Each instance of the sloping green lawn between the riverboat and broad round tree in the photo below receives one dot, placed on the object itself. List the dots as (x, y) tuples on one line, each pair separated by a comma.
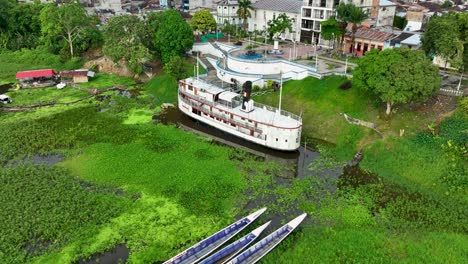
[(321, 103)]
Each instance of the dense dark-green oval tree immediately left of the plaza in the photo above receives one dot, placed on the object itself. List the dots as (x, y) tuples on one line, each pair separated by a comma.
[(174, 36)]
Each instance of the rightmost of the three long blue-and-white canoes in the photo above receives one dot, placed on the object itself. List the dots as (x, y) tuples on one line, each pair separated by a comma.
[(261, 248)]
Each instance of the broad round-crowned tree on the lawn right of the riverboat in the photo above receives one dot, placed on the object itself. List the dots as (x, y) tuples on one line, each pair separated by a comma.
[(397, 75)]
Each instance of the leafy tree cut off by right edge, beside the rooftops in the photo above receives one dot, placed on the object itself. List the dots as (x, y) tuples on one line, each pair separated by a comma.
[(447, 36)]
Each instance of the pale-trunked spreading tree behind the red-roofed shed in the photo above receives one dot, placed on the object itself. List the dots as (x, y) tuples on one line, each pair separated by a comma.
[(66, 22)]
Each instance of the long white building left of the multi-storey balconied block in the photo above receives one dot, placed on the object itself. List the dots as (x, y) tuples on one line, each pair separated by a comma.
[(266, 10)]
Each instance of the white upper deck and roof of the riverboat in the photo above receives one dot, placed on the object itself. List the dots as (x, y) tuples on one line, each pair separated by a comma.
[(262, 113)]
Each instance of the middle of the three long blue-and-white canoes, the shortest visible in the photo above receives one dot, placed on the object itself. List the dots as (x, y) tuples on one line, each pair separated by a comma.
[(230, 251)]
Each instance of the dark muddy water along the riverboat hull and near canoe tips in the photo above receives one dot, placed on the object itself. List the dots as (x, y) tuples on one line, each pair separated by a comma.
[(294, 164)]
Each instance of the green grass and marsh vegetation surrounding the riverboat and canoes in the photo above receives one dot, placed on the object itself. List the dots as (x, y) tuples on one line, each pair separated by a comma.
[(124, 180)]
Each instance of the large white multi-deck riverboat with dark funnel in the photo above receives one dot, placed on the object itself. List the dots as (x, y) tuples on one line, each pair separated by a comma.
[(244, 118)]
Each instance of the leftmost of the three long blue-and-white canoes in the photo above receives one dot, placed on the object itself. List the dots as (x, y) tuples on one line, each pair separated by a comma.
[(208, 245)]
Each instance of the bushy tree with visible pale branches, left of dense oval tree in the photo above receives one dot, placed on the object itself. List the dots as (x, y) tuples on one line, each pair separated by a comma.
[(123, 37)]
